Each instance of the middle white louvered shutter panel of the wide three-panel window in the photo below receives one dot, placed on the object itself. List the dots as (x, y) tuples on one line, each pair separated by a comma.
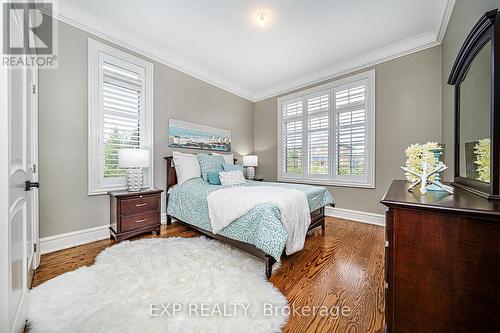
[(318, 107)]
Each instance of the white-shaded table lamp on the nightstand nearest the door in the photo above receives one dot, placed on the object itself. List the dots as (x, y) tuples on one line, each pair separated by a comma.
[(134, 160)]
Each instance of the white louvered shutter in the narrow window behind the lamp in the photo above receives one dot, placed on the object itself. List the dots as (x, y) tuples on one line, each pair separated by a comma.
[(122, 105)]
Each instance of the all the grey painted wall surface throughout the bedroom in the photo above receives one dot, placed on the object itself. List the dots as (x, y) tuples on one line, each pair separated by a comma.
[(410, 92)]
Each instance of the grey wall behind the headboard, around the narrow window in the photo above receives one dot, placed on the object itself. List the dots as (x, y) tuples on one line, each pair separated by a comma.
[(64, 203)]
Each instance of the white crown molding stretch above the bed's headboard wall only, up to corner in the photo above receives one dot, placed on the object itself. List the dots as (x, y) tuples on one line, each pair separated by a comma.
[(72, 15)]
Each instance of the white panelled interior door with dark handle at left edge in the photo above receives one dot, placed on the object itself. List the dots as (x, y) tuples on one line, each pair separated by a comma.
[(22, 213)]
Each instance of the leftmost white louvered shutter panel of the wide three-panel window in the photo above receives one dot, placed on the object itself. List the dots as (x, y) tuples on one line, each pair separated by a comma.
[(292, 138)]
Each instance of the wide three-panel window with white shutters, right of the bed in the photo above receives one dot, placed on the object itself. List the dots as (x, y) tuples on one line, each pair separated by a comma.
[(326, 134)]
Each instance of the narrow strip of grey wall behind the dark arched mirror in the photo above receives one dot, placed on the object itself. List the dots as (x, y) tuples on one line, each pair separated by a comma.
[(465, 15)]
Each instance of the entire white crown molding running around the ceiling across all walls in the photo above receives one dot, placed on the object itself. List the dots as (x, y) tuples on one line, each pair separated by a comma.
[(83, 20)]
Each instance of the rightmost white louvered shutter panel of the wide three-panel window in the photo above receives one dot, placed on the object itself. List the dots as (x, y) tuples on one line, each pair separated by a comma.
[(350, 135)]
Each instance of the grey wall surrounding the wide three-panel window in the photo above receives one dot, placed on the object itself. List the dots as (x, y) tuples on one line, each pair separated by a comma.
[(408, 110)]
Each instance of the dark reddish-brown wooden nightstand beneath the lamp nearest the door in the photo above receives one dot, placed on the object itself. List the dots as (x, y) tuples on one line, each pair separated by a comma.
[(133, 213)]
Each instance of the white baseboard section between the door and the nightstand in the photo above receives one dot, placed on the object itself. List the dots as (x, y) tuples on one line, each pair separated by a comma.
[(70, 239)]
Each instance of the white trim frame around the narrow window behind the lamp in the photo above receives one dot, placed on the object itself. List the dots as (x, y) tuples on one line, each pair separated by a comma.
[(95, 186)]
